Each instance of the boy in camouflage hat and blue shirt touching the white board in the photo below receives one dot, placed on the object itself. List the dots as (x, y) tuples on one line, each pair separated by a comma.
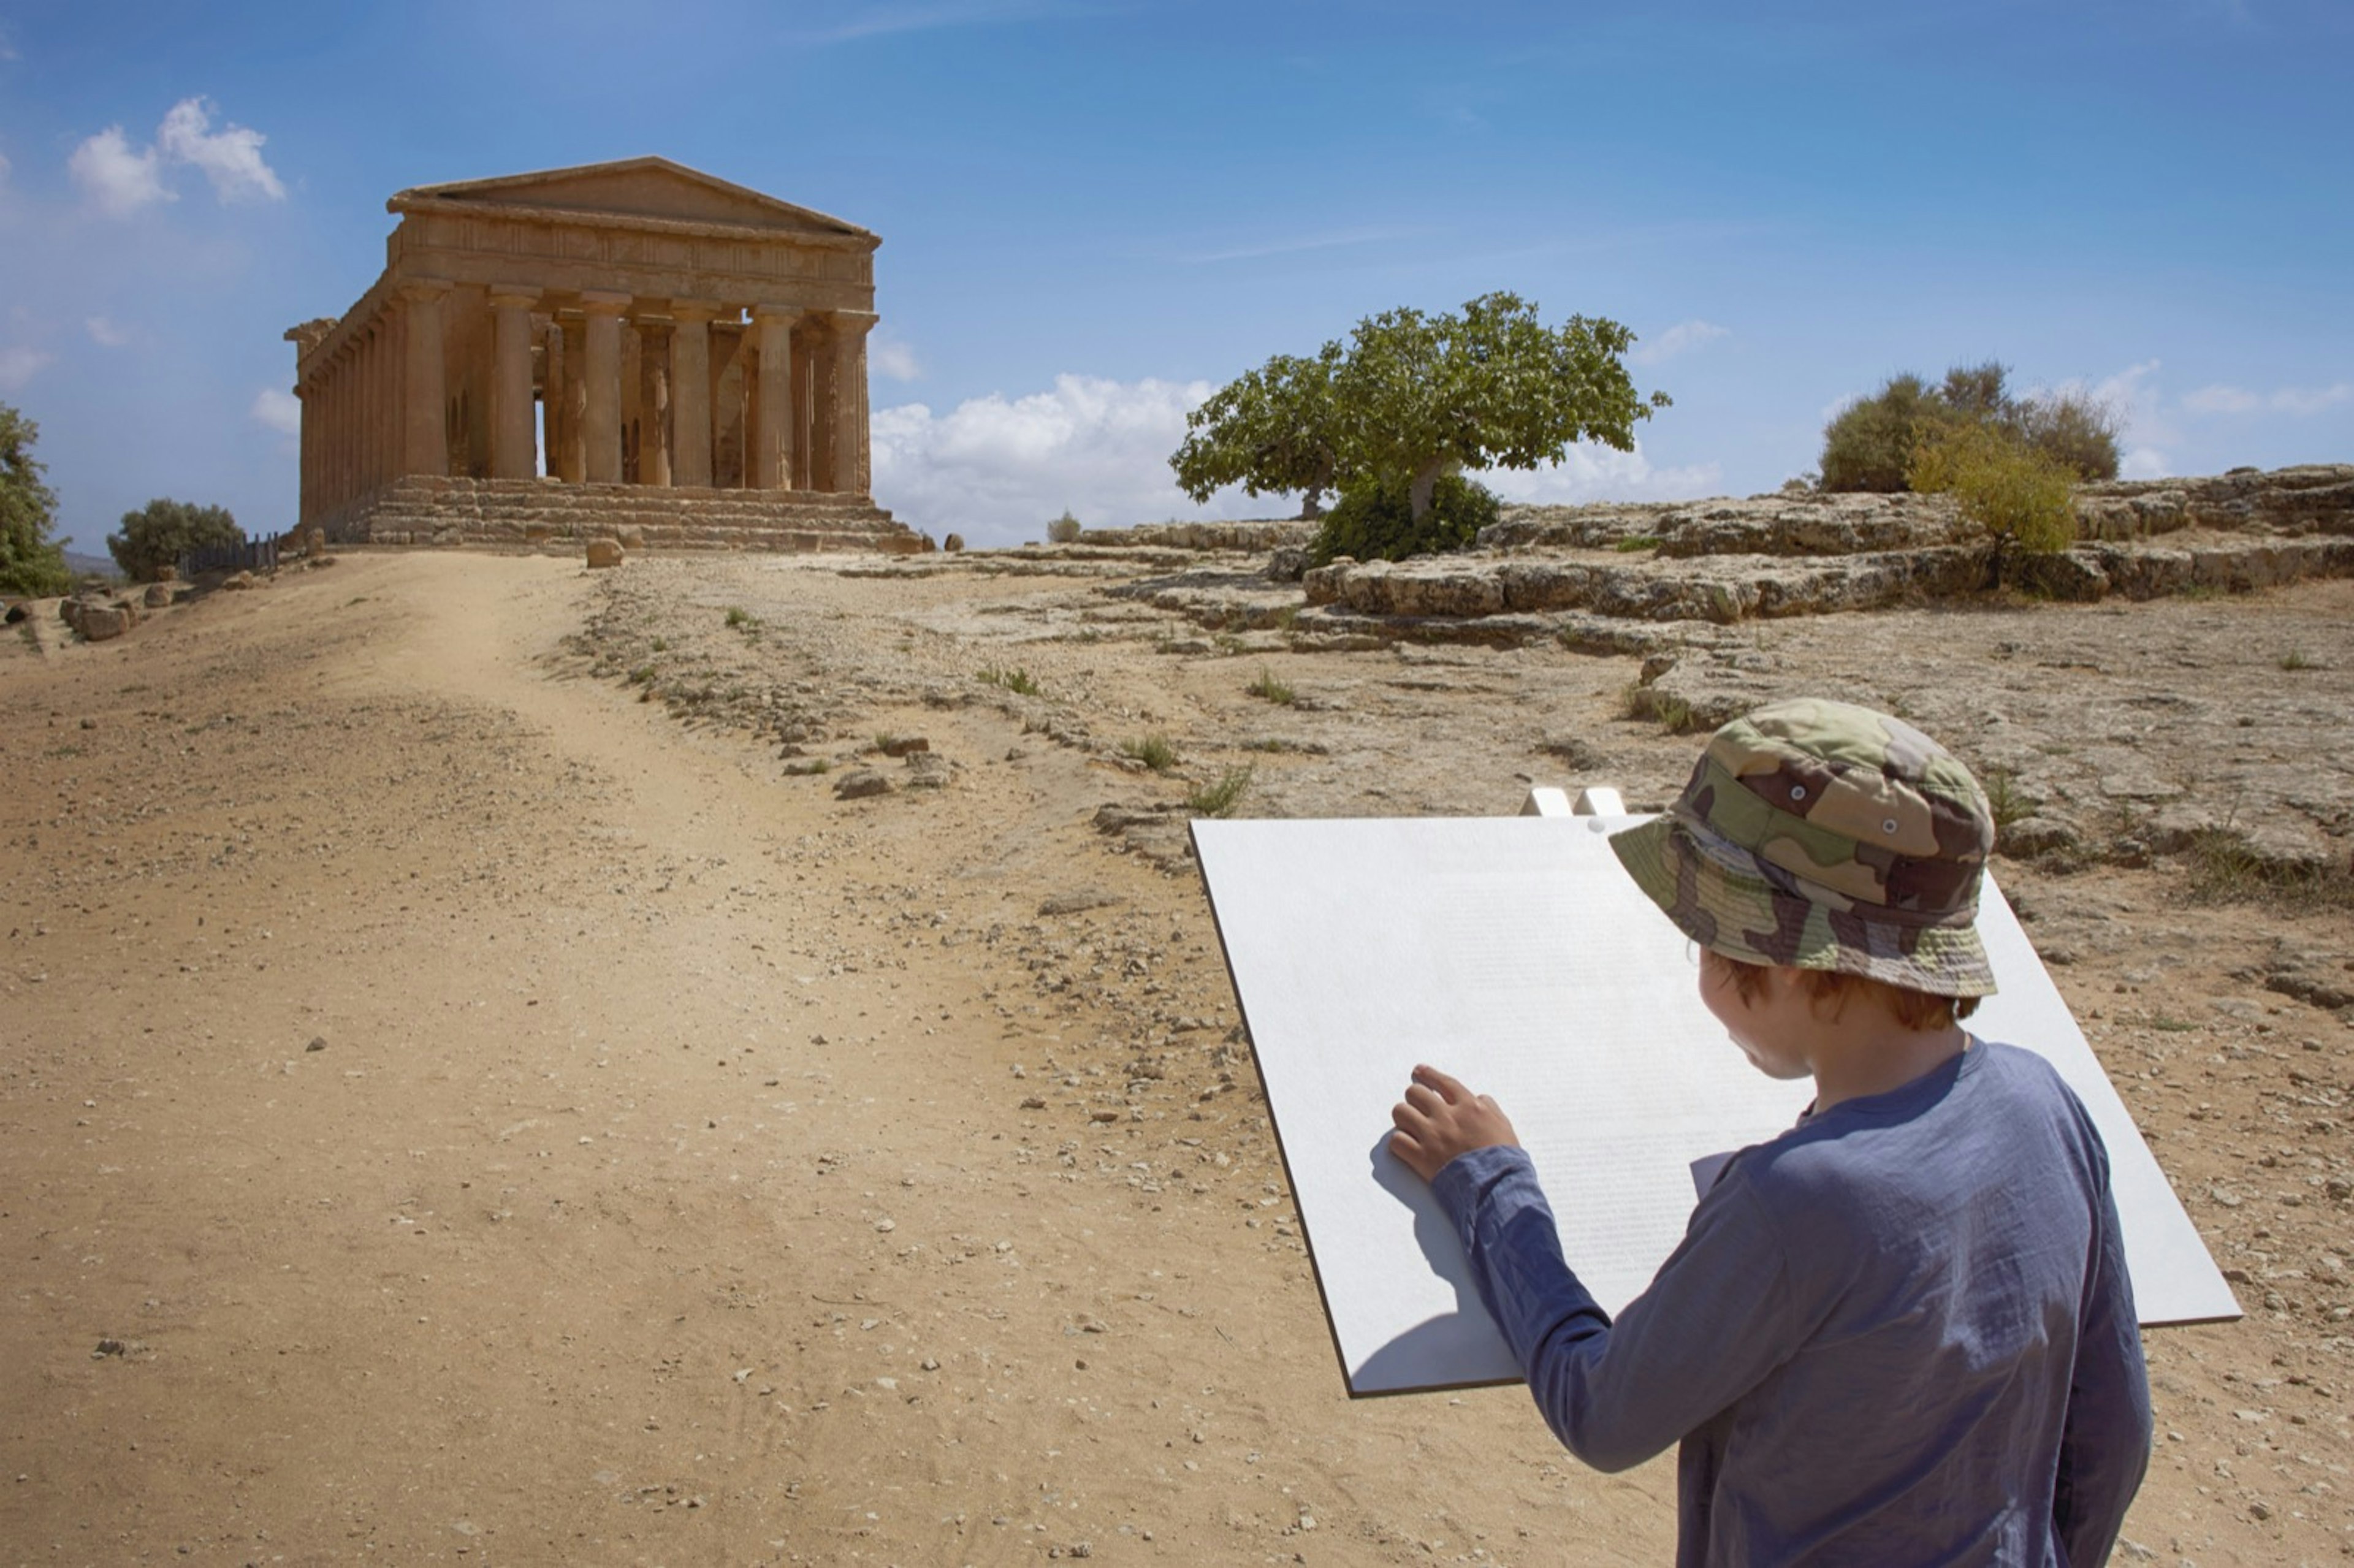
[(1903, 1331)]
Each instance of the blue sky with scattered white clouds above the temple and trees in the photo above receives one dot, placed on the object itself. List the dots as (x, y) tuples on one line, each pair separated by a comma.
[(1096, 213)]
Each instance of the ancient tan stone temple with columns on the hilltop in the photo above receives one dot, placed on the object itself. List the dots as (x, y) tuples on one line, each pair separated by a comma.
[(623, 350)]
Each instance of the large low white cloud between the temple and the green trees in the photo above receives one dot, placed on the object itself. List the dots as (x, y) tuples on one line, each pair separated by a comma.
[(997, 470)]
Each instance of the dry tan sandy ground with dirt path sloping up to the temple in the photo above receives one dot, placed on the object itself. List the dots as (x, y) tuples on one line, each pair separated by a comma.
[(488, 1119)]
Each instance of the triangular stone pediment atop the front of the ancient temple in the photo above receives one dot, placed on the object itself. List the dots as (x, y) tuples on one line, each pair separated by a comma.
[(630, 190)]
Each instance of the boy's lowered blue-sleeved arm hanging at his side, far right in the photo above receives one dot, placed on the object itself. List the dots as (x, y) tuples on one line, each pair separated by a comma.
[(2106, 1442)]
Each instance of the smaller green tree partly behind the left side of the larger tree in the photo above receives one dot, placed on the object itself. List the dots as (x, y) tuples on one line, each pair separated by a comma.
[(1268, 430)]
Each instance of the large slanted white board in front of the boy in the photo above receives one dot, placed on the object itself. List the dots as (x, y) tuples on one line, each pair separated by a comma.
[(1520, 957)]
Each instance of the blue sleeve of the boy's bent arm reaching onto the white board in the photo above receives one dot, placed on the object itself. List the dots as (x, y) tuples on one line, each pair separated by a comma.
[(1713, 1324)]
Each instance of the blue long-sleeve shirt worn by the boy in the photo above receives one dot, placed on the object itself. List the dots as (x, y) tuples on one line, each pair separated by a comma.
[(1899, 1334)]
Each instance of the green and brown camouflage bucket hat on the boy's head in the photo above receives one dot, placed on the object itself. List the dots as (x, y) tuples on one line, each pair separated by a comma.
[(1826, 837)]
